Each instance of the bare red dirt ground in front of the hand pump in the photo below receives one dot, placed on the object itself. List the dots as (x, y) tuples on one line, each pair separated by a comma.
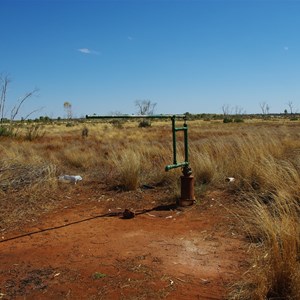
[(165, 253)]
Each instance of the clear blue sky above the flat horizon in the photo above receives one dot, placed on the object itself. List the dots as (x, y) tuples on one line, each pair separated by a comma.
[(186, 56)]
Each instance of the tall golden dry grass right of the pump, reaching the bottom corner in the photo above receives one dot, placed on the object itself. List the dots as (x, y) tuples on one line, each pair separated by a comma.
[(265, 163)]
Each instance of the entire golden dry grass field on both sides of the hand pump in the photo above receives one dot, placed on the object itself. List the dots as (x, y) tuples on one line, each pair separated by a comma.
[(262, 156)]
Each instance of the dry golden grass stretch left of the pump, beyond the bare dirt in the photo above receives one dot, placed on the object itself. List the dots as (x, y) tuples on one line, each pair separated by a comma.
[(109, 156)]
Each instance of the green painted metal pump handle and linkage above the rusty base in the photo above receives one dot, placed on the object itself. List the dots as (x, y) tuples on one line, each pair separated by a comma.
[(184, 128)]
